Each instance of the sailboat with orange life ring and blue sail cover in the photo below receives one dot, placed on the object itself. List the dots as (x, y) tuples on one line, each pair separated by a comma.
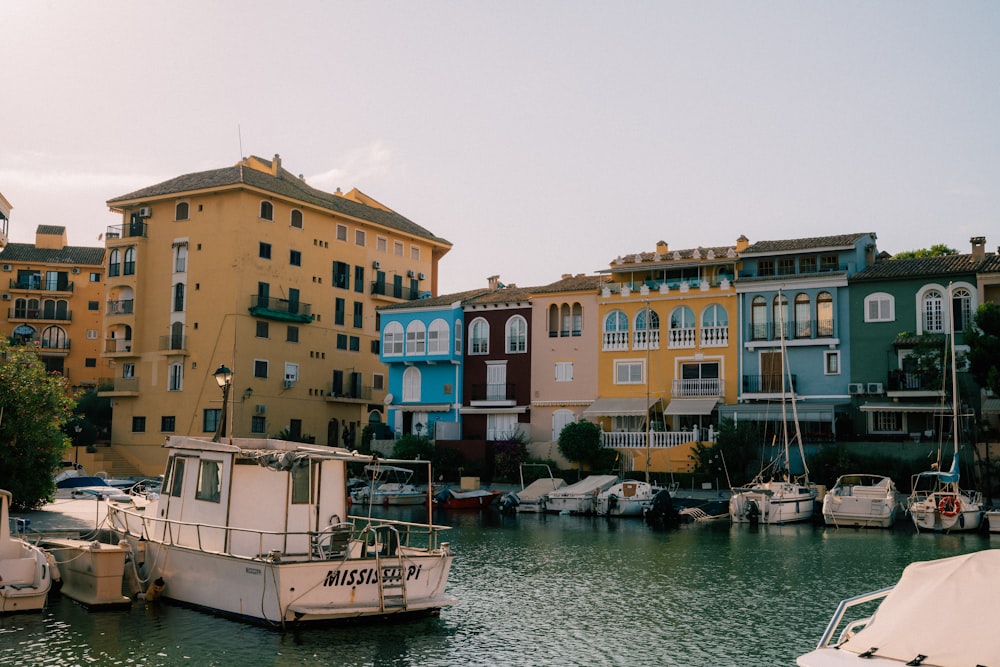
[(936, 501)]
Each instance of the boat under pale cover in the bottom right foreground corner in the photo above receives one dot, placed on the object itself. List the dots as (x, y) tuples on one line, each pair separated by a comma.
[(941, 612)]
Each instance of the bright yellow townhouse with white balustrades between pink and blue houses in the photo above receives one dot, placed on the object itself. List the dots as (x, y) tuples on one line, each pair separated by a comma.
[(668, 352)]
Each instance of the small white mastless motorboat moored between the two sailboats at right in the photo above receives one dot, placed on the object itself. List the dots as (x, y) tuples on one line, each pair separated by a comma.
[(865, 501)]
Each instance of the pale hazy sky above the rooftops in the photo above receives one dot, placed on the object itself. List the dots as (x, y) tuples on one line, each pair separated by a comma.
[(539, 137)]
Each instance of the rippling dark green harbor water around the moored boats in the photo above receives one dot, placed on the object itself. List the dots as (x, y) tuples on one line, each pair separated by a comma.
[(539, 590)]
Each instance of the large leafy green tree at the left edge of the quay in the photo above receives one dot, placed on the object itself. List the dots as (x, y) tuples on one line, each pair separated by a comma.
[(34, 405)]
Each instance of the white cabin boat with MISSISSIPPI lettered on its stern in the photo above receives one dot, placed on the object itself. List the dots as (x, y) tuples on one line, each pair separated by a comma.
[(258, 529)]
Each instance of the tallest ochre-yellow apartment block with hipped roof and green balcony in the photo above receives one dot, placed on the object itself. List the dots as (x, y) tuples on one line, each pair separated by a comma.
[(251, 269)]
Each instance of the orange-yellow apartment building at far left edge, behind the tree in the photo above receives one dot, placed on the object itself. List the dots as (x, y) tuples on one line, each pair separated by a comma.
[(53, 295)]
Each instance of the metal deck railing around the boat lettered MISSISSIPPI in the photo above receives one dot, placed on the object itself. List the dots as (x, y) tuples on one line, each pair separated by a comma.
[(340, 539)]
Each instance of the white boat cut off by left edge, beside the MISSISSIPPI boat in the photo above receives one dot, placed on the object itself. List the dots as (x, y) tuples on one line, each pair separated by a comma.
[(25, 571)]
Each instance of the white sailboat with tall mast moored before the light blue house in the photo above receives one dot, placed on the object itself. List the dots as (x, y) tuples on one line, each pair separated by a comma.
[(773, 497)]
